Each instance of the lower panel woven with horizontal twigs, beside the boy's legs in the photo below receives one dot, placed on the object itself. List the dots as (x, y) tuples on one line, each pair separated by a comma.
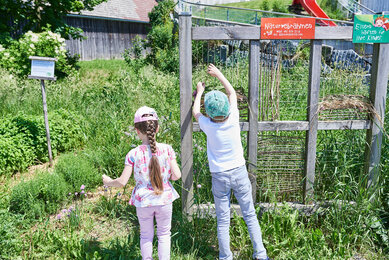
[(280, 165)]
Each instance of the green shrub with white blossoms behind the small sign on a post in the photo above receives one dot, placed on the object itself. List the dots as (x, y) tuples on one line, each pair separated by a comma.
[(15, 57)]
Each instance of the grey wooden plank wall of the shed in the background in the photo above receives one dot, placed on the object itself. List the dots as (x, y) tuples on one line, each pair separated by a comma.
[(106, 39)]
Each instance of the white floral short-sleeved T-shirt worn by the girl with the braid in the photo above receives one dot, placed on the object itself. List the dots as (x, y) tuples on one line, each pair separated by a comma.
[(143, 193)]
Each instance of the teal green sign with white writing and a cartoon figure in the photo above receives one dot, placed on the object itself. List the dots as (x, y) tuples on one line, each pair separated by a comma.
[(371, 28)]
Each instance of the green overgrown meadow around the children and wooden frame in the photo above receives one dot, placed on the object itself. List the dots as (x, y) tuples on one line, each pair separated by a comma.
[(45, 213)]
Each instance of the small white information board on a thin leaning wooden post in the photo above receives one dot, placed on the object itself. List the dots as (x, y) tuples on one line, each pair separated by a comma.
[(43, 68)]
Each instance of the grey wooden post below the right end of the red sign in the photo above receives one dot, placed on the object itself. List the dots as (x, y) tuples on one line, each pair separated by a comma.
[(312, 117)]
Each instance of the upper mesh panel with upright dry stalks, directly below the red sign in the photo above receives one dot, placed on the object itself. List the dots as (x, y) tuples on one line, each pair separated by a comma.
[(283, 80)]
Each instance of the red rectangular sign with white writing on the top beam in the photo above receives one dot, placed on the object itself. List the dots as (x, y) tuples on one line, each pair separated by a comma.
[(287, 28)]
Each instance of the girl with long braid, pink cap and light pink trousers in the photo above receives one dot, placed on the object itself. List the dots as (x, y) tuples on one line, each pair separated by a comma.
[(153, 164)]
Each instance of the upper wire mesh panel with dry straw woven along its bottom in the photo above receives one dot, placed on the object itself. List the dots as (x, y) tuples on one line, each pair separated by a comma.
[(345, 80)]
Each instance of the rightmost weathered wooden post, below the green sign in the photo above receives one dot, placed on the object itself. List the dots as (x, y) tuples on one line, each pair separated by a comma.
[(378, 91)]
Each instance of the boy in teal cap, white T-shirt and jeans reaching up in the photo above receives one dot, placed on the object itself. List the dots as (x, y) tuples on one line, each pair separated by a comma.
[(226, 163)]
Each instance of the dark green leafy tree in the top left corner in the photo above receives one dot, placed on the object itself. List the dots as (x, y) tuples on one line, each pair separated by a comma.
[(20, 16)]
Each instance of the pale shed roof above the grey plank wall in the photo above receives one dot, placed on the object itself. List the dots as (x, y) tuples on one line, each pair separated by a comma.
[(134, 10)]
